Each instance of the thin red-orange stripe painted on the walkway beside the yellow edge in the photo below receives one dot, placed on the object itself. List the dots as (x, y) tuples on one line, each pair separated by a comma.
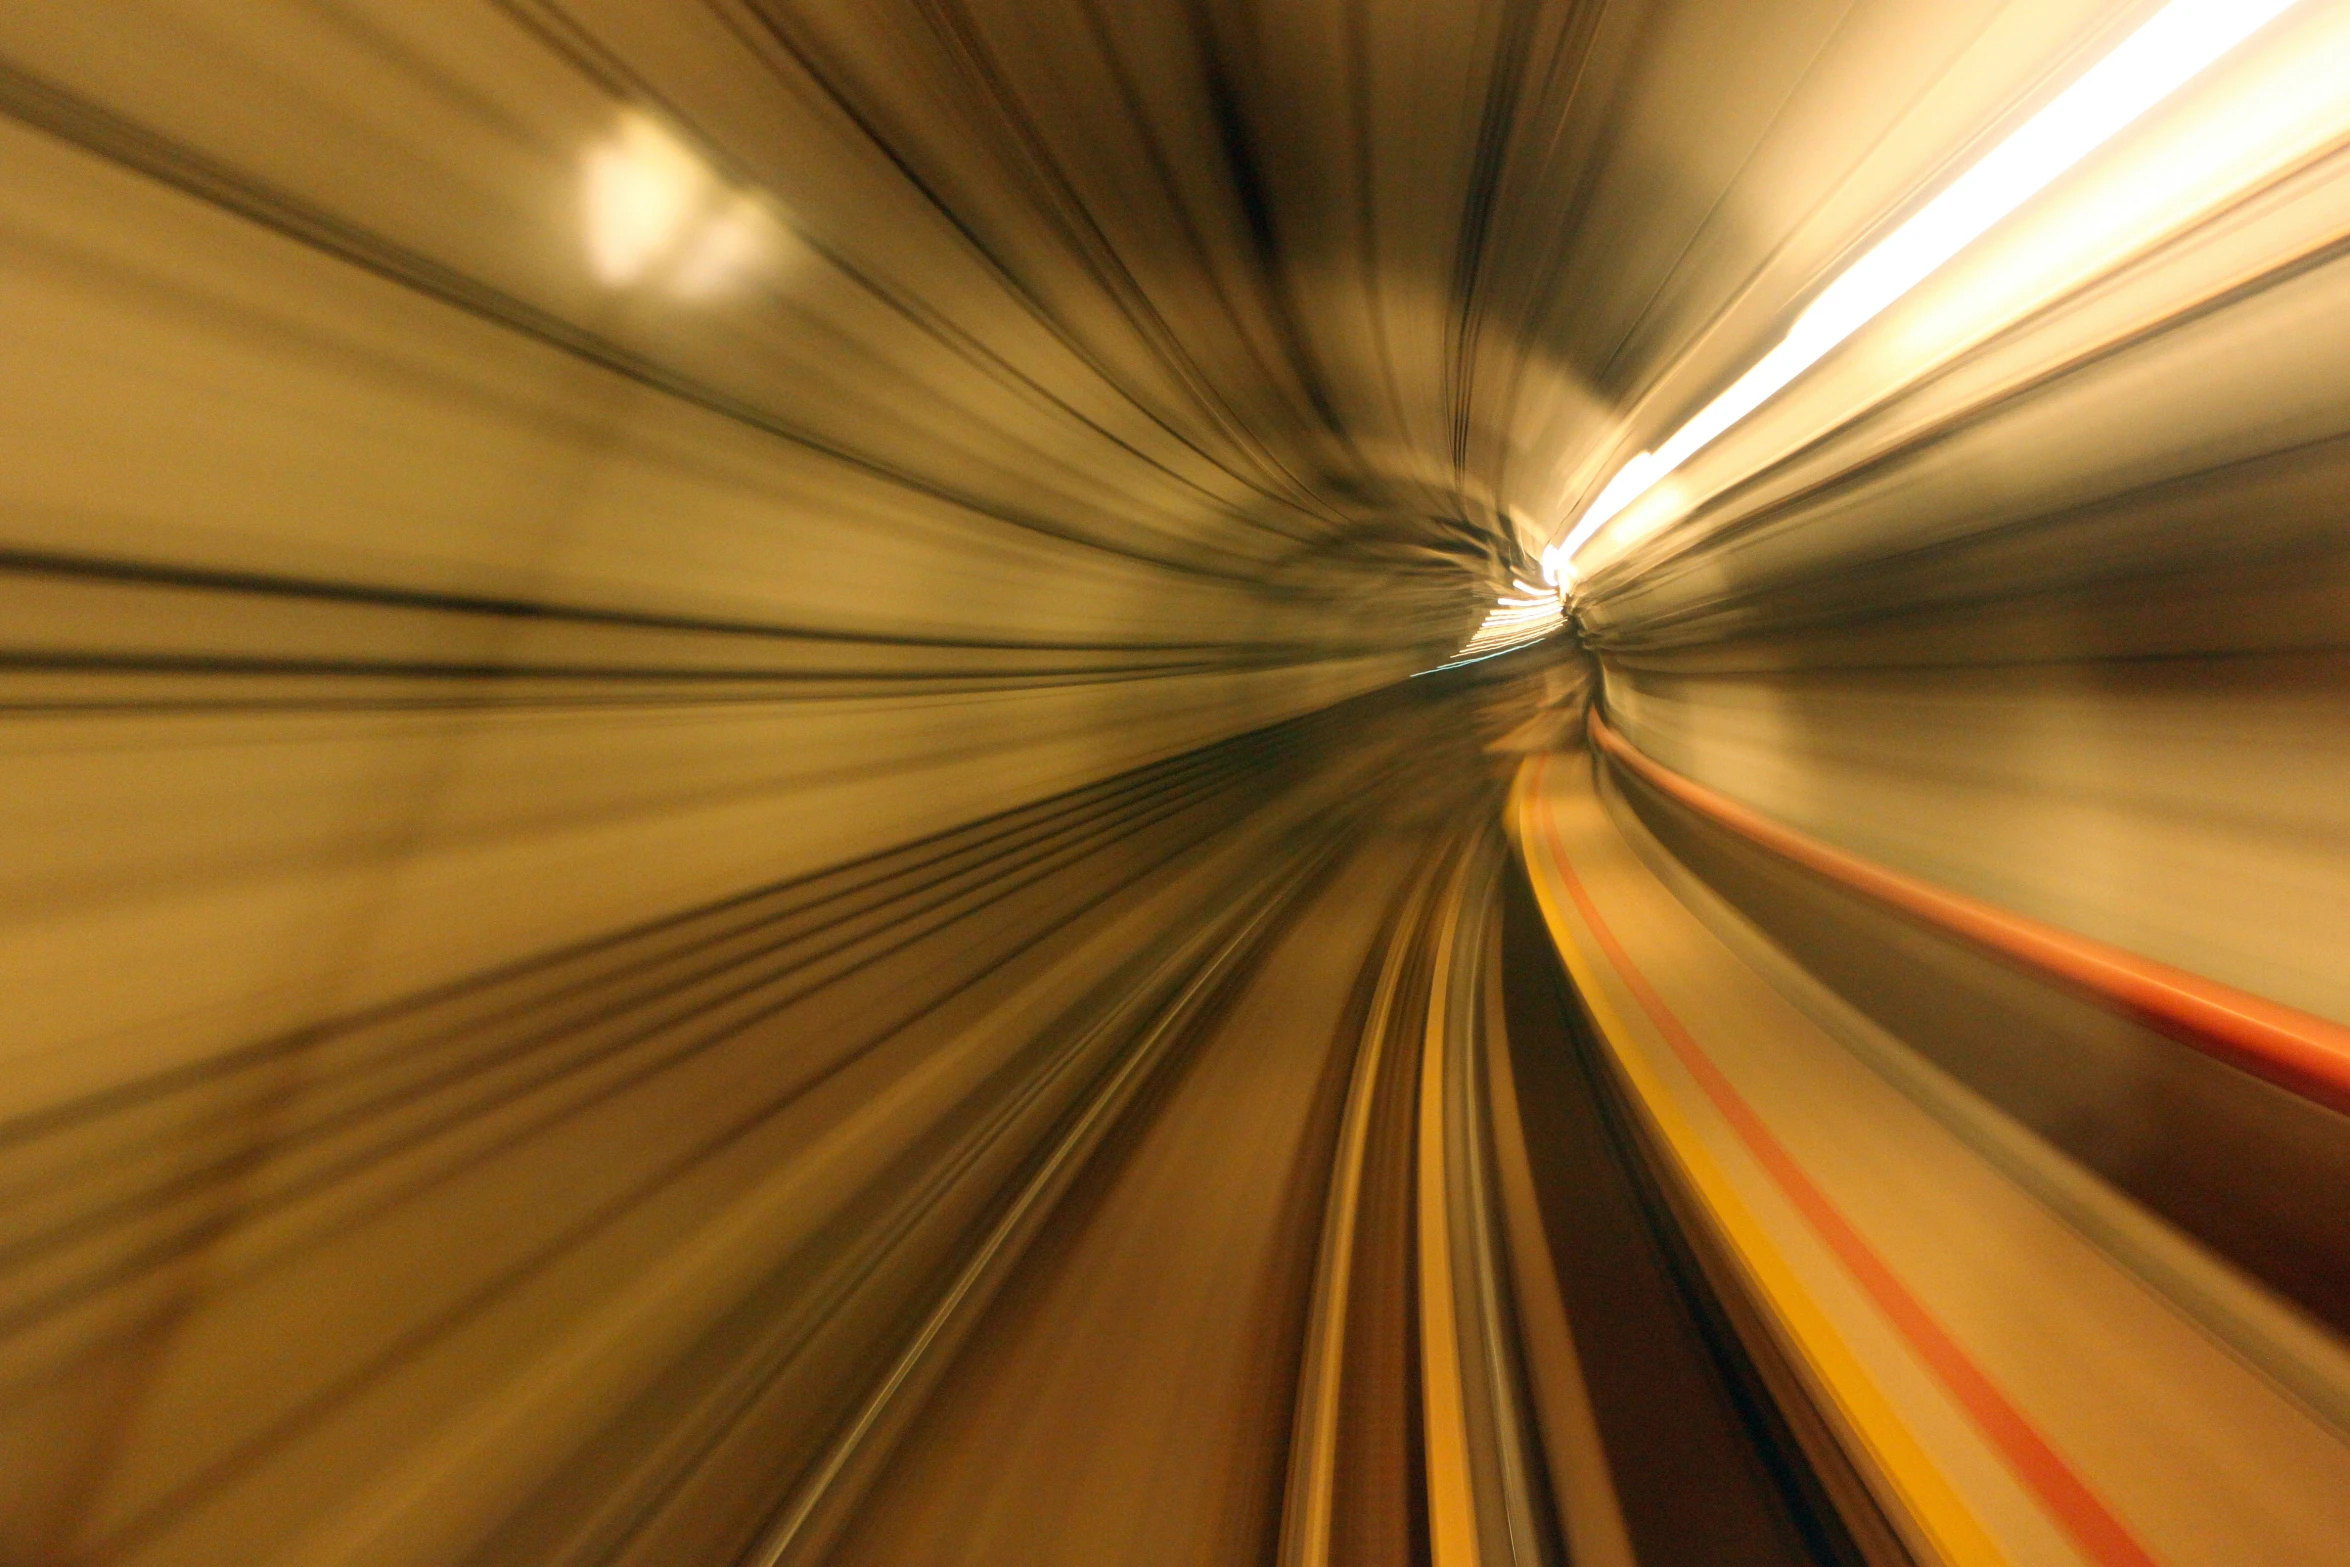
[(2020, 1444)]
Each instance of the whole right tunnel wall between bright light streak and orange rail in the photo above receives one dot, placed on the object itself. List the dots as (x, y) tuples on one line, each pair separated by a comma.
[(2057, 624)]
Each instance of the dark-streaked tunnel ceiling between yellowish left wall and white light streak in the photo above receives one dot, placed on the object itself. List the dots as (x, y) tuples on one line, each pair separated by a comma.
[(1388, 288)]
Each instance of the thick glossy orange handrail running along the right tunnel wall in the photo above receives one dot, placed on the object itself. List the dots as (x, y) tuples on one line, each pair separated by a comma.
[(2297, 1051)]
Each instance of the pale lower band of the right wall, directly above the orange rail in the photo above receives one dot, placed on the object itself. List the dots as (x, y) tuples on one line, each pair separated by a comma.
[(2182, 812)]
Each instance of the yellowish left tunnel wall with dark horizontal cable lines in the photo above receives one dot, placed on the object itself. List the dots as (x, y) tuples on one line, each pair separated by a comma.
[(391, 598)]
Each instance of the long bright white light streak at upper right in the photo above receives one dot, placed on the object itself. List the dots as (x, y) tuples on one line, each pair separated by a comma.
[(2149, 67)]
